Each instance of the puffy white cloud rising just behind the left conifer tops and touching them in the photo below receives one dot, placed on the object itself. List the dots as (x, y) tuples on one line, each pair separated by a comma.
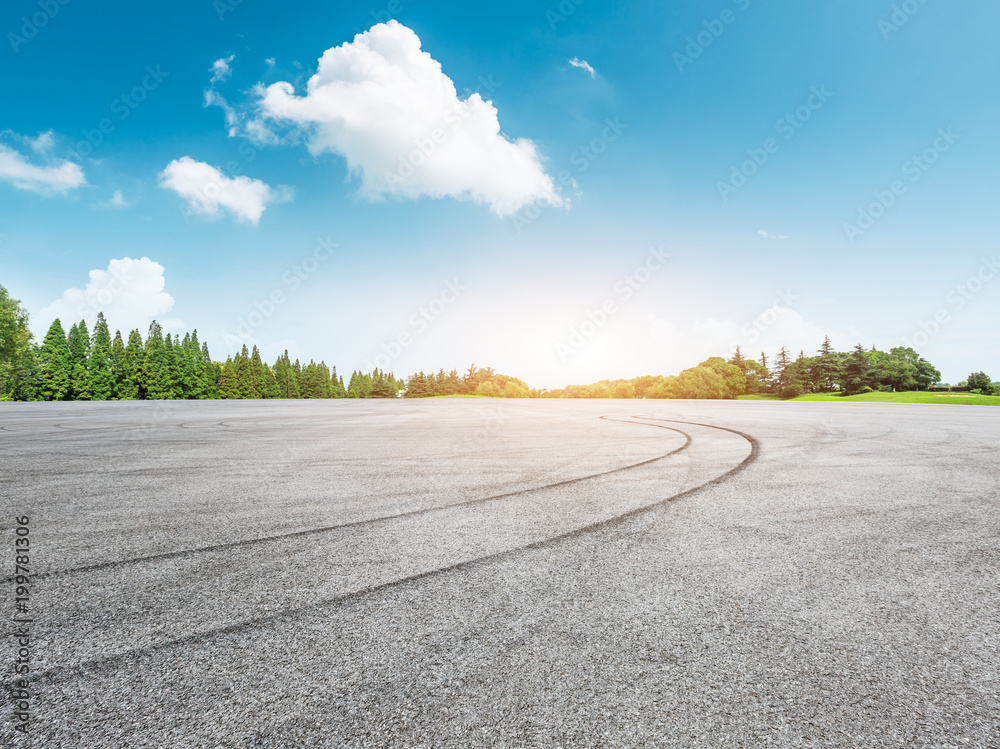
[(129, 292)]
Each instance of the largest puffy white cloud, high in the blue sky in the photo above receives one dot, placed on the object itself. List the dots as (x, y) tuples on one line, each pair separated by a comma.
[(387, 107)]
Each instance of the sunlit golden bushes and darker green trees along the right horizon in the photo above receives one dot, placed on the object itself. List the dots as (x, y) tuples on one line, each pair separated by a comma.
[(851, 373)]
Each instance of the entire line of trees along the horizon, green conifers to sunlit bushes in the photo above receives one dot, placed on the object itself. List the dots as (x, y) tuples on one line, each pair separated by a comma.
[(84, 365)]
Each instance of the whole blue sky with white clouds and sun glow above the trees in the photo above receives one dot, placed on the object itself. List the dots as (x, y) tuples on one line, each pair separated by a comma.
[(618, 185)]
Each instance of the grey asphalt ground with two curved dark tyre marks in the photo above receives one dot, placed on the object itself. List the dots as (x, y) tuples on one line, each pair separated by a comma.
[(474, 573)]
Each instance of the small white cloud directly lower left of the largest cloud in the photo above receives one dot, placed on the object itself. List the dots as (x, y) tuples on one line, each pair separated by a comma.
[(206, 190)]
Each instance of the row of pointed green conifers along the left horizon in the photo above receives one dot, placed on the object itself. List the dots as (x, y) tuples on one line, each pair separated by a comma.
[(80, 365)]
